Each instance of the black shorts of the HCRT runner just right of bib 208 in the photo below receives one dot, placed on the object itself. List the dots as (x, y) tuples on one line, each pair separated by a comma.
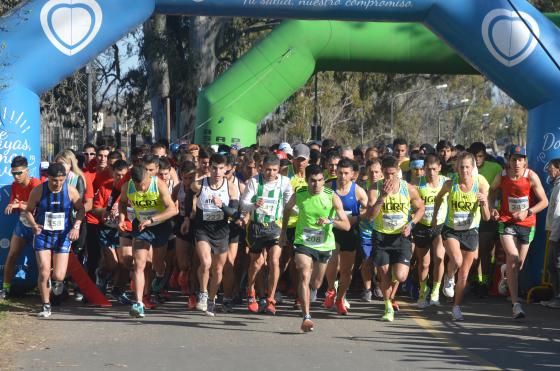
[(391, 249)]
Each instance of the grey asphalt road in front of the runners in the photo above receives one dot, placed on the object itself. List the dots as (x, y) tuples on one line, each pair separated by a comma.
[(170, 338)]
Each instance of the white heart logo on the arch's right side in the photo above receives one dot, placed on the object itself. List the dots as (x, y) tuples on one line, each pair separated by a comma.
[(509, 38)]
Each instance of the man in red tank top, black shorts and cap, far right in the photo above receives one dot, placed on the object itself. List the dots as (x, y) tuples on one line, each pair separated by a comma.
[(523, 196)]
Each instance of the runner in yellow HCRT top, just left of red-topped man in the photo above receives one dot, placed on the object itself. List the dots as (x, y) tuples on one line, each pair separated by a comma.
[(466, 202)]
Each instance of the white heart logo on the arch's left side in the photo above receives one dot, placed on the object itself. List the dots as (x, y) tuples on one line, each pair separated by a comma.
[(71, 25)]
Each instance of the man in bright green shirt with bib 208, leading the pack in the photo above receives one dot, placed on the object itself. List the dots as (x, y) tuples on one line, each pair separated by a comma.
[(319, 210)]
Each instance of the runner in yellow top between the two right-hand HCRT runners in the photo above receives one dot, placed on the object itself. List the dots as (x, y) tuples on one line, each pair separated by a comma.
[(427, 238)]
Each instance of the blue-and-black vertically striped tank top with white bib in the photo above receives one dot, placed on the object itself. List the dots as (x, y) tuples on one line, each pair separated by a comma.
[(54, 211)]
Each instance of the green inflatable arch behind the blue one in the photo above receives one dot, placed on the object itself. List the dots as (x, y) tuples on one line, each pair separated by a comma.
[(229, 109)]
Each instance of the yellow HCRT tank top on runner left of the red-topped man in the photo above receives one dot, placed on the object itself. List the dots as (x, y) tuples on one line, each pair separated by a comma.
[(463, 211)]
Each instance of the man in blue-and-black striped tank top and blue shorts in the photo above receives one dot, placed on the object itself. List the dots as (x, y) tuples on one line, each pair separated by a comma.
[(53, 202)]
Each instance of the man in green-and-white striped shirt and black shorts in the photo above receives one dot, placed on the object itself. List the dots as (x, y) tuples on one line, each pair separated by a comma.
[(264, 198)]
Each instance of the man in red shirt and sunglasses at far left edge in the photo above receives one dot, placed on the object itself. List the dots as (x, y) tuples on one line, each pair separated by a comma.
[(22, 235)]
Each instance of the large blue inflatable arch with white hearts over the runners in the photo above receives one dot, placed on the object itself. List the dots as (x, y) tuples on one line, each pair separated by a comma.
[(43, 41)]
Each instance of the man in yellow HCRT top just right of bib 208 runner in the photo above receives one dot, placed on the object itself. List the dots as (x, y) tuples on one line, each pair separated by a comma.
[(391, 202)]
